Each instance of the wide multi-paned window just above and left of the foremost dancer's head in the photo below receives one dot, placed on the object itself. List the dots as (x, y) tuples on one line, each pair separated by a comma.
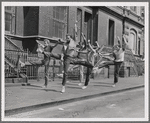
[(59, 22)]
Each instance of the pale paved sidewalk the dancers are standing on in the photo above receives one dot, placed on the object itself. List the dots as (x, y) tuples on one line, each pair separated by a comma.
[(19, 98)]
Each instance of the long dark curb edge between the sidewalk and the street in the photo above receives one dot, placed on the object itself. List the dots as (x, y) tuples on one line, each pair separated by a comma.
[(65, 101)]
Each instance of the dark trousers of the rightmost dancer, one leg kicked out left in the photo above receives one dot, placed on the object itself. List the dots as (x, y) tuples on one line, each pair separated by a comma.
[(116, 68)]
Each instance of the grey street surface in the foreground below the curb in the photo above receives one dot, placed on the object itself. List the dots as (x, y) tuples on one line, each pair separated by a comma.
[(128, 104)]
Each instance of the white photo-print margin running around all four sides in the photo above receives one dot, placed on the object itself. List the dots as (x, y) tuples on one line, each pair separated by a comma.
[(79, 4)]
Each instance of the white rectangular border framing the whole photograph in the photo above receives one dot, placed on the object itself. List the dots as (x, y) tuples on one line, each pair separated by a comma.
[(74, 4)]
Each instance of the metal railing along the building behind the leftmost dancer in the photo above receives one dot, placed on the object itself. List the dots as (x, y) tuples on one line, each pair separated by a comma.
[(31, 70)]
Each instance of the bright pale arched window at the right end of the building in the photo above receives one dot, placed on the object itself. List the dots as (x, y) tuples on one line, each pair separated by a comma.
[(133, 45)]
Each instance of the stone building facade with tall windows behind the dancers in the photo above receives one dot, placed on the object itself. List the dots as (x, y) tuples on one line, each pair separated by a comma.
[(25, 24)]
